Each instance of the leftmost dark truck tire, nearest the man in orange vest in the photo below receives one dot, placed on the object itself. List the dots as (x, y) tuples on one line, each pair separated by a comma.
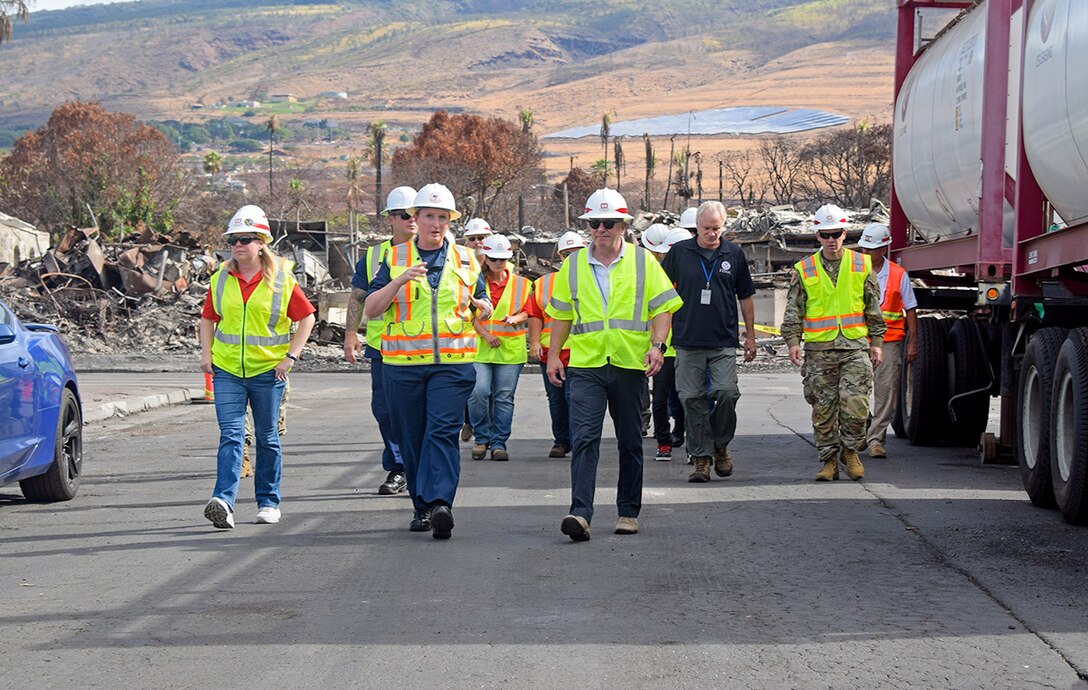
[(924, 395)]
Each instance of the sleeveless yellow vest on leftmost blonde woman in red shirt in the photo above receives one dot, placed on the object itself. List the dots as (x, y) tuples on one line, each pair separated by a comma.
[(252, 337)]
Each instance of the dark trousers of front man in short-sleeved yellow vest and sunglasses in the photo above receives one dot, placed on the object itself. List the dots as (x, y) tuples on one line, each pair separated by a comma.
[(592, 391)]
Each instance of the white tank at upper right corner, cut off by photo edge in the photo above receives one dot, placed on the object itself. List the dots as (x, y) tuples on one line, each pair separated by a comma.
[(1056, 104)]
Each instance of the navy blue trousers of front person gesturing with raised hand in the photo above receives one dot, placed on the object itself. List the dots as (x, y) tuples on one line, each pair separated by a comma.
[(428, 412)]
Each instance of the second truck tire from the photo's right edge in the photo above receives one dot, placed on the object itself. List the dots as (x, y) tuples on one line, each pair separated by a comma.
[(1034, 392)]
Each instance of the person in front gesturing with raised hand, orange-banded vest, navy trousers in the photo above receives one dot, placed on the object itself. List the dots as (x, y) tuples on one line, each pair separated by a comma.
[(429, 291)]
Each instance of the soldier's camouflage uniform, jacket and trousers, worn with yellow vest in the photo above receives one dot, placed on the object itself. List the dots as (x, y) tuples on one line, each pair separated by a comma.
[(838, 376)]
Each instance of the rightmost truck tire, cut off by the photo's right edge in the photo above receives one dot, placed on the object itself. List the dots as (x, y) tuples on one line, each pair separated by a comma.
[(1069, 428)]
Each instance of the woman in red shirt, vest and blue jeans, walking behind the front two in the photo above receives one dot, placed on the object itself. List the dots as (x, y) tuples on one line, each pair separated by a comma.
[(501, 352)]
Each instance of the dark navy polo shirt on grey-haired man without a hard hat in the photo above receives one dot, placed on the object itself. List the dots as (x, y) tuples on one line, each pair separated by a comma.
[(690, 268)]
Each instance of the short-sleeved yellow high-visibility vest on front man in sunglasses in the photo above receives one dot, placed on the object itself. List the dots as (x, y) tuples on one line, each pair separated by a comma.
[(639, 290)]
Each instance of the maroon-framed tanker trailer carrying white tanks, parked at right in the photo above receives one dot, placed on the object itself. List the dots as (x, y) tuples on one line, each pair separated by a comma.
[(991, 213)]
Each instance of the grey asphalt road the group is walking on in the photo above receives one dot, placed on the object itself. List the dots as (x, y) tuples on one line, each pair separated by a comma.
[(936, 572)]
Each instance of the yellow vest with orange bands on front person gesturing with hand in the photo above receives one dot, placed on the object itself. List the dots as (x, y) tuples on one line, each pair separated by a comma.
[(426, 326)]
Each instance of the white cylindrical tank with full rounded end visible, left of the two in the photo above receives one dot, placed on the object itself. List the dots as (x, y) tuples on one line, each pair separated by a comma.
[(938, 132)]
